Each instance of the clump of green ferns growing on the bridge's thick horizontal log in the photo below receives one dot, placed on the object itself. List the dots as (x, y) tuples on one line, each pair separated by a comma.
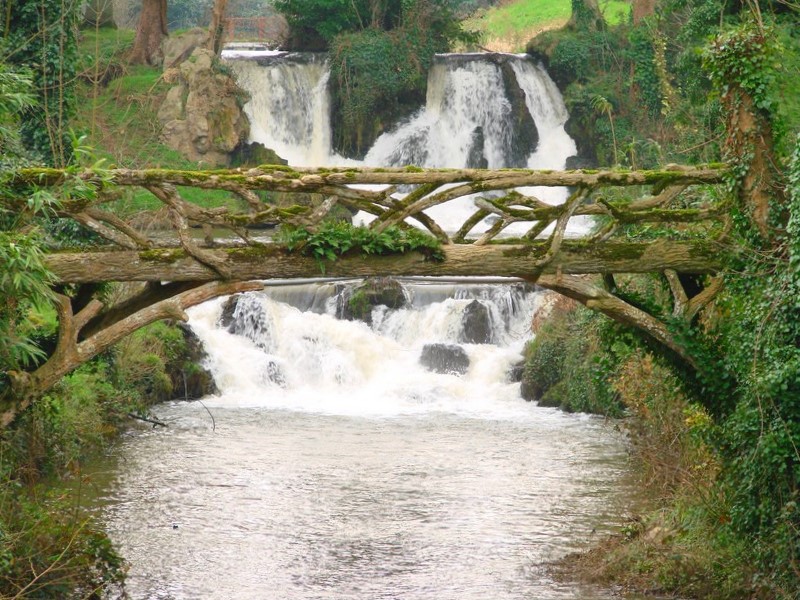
[(334, 239)]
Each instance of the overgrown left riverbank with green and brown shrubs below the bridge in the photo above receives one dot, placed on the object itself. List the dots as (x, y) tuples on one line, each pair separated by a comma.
[(51, 546)]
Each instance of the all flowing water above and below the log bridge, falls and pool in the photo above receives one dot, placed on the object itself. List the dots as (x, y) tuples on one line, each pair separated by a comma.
[(392, 460)]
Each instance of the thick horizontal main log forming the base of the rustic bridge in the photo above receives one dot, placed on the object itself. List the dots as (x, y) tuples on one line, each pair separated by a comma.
[(273, 261)]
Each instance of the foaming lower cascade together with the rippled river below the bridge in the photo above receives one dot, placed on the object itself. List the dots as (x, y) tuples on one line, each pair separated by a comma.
[(356, 473)]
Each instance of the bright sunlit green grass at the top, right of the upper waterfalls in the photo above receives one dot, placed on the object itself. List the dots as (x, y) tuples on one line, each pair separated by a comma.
[(508, 26)]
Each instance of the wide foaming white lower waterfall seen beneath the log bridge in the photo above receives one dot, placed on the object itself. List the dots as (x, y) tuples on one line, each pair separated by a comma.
[(269, 353)]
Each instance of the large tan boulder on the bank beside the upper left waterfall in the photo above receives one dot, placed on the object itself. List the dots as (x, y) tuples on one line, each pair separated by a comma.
[(201, 115)]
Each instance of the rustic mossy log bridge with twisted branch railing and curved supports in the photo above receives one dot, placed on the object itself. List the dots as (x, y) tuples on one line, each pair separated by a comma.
[(671, 221)]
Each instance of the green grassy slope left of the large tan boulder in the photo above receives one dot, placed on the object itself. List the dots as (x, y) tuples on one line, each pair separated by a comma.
[(117, 111)]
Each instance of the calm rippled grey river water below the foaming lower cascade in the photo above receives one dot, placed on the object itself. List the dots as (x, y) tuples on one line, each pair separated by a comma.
[(276, 504)]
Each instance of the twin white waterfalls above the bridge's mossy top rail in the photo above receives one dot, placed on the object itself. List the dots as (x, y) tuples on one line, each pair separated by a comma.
[(482, 110)]
